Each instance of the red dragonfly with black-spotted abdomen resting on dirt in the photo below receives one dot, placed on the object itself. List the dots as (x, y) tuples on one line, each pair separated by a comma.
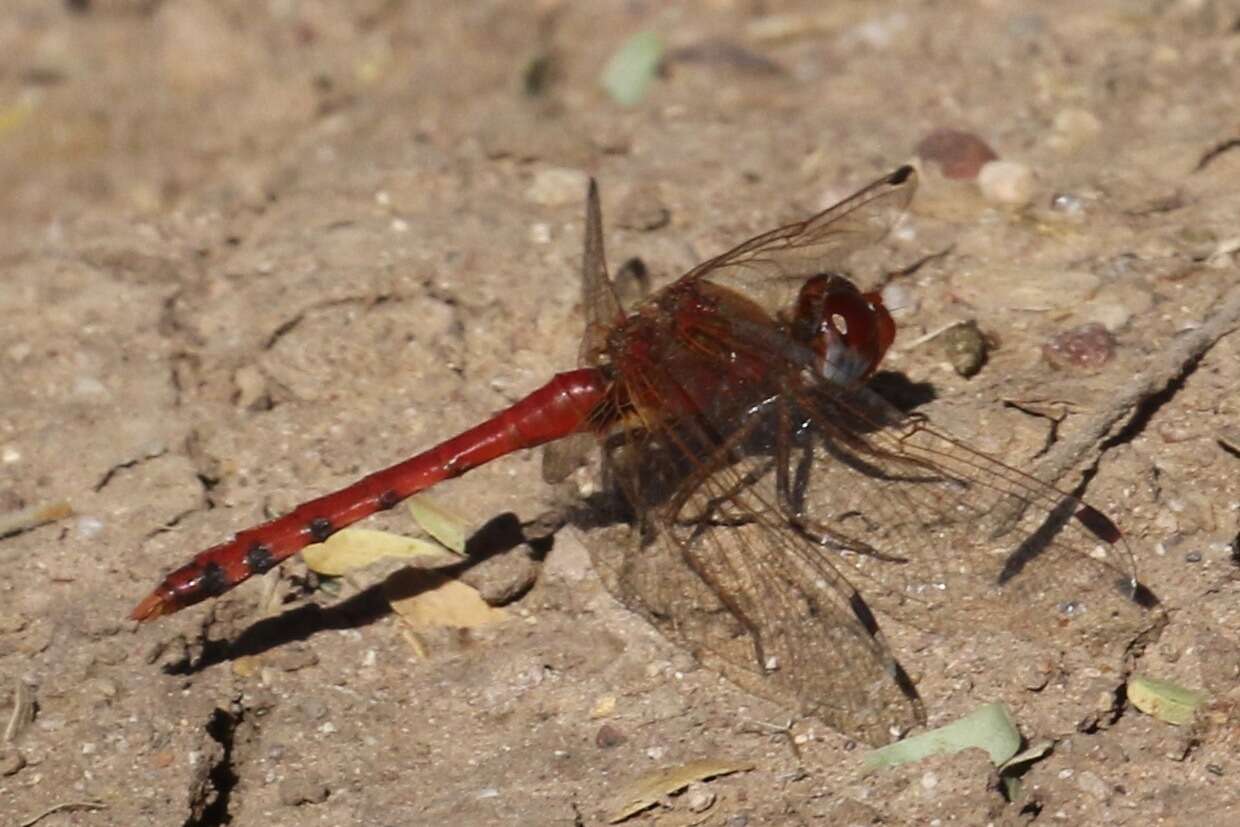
[(759, 487)]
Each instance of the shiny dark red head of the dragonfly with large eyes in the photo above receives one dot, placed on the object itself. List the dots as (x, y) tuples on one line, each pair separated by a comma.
[(848, 330)]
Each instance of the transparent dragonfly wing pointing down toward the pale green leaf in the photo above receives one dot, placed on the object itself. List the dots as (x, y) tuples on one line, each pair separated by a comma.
[(719, 570)]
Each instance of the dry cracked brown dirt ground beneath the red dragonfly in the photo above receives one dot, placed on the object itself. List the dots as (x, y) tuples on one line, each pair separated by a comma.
[(254, 251)]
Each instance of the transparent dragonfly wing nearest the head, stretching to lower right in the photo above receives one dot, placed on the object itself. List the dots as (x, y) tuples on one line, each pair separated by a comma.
[(939, 535)]
